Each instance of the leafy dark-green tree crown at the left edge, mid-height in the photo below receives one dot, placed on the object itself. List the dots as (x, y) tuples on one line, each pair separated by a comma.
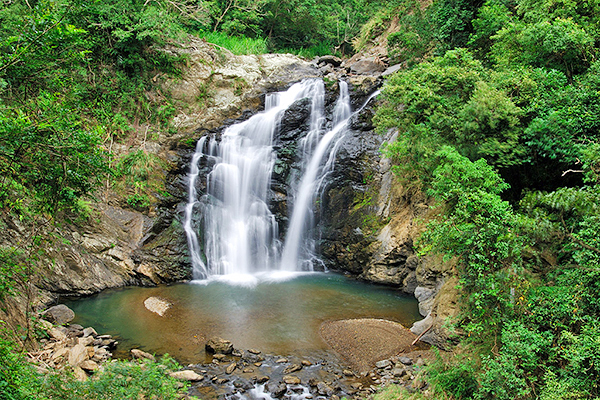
[(46, 152)]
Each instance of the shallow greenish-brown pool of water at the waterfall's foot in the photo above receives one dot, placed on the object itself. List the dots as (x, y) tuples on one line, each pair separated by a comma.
[(274, 313)]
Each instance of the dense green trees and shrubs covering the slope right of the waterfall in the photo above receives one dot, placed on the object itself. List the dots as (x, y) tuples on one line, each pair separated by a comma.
[(523, 99)]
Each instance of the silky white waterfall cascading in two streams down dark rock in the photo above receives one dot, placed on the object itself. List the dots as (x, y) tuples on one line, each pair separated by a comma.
[(239, 233)]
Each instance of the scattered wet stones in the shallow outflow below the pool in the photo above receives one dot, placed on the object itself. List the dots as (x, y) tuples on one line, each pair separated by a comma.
[(255, 375)]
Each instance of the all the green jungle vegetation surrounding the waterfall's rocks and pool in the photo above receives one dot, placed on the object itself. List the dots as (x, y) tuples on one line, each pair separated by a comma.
[(497, 109)]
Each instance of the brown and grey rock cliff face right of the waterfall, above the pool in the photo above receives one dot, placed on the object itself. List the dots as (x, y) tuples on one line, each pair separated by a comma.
[(370, 223)]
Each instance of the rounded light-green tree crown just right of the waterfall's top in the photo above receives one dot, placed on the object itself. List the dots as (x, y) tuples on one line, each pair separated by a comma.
[(448, 101)]
